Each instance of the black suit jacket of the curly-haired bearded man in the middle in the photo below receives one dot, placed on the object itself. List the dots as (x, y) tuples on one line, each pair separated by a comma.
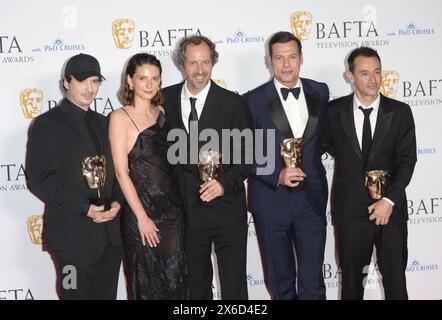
[(223, 109)]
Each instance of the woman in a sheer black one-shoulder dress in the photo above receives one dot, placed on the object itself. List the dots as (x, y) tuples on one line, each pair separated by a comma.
[(152, 217)]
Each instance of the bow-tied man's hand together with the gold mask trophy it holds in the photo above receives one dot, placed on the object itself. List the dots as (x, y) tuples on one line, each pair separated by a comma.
[(291, 152)]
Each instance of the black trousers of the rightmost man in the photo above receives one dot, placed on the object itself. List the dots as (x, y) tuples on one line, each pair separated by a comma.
[(355, 248)]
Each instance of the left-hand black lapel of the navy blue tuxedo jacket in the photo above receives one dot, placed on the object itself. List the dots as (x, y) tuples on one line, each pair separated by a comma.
[(276, 111)]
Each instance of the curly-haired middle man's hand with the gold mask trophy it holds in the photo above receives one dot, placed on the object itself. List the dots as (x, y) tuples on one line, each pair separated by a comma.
[(209, 165)]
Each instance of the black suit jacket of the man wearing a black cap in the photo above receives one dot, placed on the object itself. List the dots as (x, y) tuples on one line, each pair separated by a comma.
[(56, 147)]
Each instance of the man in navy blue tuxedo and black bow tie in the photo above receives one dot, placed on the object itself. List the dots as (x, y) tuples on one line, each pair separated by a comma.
[(289, 204)]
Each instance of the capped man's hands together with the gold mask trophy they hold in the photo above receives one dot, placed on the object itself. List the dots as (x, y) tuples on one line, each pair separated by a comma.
[(93, 169)]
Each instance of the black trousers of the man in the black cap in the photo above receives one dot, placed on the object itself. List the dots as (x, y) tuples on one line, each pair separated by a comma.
[(88, 275)]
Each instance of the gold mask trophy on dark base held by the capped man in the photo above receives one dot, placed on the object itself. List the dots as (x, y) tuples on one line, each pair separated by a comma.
[(93, 170)]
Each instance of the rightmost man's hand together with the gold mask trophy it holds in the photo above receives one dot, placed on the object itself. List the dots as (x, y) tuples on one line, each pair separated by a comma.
[(377, 183)]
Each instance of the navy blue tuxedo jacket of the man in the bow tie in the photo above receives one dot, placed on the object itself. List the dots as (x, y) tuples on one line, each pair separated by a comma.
[(265, 197)]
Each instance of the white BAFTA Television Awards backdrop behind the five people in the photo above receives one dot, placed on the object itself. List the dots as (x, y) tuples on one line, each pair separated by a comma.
[(37, 37)]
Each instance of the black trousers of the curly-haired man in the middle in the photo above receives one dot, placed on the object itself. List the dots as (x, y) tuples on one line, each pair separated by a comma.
[(231, 254)]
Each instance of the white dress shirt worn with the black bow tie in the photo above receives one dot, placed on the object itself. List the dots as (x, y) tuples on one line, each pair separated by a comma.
[(295, 109)]
